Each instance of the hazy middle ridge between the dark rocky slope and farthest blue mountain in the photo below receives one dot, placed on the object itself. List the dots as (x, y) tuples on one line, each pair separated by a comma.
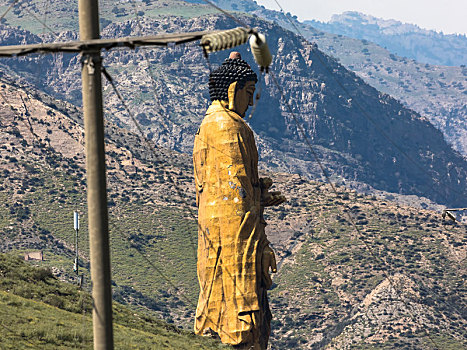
[(436, 92)]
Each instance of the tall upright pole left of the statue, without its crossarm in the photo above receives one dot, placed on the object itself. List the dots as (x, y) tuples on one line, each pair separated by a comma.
[(96, 179)]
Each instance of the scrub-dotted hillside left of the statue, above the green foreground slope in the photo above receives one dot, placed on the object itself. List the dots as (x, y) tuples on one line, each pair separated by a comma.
[(41, 161)]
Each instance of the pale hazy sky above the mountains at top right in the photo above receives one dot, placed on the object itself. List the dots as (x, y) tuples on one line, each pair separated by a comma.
[(449, 16)]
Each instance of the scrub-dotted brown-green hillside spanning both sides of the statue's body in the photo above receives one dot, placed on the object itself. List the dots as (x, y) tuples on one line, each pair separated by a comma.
[(402, 275)]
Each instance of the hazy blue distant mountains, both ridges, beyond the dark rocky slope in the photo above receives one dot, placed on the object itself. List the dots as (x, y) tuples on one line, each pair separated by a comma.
[(434, 91)]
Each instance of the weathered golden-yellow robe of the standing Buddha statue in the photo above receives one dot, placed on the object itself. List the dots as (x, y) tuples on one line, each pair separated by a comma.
[(232, 300)]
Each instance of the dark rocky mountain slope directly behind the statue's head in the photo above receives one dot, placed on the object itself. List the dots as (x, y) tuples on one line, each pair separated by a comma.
[(170, 108)]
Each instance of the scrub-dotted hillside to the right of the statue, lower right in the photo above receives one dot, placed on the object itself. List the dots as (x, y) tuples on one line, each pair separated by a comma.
[(401, 277)]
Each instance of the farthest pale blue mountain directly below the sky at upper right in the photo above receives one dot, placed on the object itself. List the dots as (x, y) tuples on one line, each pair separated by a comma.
[(402, 39)]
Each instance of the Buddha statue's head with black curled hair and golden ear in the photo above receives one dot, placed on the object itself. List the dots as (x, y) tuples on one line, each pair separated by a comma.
[(233, 82)]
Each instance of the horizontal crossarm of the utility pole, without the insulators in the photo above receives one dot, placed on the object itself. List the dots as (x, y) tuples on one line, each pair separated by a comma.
[(98, 44)]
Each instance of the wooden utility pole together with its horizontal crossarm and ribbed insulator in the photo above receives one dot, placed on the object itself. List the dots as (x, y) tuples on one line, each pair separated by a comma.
[(90, 46)]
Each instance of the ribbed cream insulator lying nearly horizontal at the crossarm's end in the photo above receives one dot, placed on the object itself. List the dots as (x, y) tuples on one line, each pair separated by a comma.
[(224, 40)]
